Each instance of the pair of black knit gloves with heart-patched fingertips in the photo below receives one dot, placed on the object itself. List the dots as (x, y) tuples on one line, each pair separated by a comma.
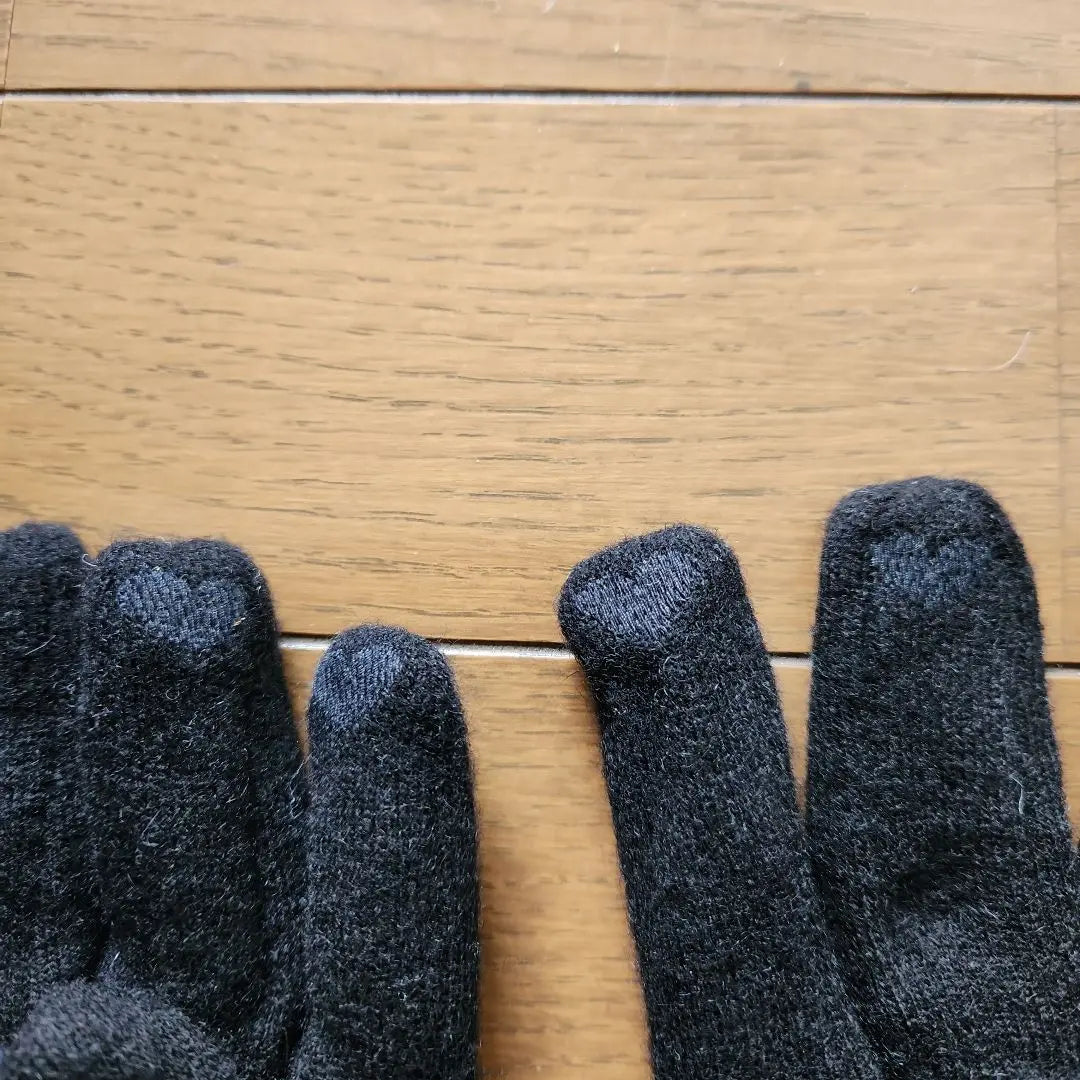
[(182, 899)]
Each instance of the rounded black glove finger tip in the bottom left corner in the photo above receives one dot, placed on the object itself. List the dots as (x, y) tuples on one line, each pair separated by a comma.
[(92, 1032)]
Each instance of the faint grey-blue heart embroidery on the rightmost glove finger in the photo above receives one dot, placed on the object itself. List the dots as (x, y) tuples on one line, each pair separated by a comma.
[(935, 577)]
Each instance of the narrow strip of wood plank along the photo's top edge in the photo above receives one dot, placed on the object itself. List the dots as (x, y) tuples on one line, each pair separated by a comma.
[(985, 47)]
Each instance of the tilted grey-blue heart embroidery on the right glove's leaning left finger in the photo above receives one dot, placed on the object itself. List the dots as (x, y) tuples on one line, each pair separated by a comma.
[(643, 606)]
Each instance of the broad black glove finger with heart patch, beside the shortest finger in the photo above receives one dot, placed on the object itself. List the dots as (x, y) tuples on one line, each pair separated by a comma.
[(191, 738)]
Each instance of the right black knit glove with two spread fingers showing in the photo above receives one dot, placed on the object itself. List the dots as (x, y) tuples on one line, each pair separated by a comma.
[(924, 924)]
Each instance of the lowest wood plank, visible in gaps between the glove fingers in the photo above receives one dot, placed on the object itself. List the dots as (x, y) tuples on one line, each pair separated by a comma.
[(560, 996)]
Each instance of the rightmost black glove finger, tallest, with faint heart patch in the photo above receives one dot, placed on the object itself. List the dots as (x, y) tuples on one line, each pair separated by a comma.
[(938, 823)]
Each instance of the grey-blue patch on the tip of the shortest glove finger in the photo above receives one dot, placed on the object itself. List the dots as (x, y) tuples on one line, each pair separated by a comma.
[(360, 669)]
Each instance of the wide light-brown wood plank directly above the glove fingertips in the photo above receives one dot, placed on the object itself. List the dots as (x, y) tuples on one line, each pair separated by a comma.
[(422, 359)]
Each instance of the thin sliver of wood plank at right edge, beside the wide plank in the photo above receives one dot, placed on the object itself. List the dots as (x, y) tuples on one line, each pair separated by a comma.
[(1069, 249)]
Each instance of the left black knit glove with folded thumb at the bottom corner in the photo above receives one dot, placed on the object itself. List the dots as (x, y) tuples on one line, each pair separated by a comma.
[(171, 907)]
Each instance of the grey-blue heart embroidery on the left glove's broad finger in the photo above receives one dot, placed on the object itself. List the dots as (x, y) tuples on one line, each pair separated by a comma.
[(170, 610)]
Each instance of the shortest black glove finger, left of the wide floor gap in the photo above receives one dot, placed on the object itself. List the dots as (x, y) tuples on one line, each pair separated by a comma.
[(393, 942)]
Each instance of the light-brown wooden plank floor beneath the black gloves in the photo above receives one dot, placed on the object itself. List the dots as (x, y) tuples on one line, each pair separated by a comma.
[(597, 268)]
